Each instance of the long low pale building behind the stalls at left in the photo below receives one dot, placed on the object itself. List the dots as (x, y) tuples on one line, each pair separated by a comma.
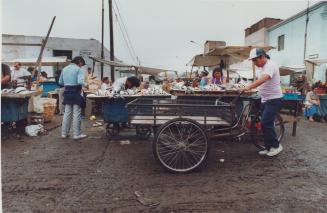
[(20, 46)]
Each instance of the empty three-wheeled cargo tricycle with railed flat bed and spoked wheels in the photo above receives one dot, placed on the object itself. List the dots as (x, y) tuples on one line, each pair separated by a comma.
[(183, 127)]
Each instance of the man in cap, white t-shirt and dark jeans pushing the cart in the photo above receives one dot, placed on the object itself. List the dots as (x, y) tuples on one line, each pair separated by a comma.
[(268, 84)]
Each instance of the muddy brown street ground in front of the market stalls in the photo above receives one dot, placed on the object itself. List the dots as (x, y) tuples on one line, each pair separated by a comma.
[(49, 174)]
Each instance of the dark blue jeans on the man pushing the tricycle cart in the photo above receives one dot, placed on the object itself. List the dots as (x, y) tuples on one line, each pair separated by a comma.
[(269, 111)]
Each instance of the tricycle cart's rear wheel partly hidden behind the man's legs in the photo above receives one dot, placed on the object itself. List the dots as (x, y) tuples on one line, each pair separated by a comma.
[(279, 128)]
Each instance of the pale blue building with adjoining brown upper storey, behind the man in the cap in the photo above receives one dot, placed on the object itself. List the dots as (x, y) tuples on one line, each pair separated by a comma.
[(288, 36)]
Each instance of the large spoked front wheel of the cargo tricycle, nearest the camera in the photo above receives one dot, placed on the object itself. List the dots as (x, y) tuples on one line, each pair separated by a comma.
[(181, 145)]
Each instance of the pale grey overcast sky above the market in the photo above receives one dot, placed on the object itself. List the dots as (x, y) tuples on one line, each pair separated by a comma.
[(160, 30)]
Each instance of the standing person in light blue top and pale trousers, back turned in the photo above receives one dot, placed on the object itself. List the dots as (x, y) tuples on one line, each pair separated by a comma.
[(73, 79)]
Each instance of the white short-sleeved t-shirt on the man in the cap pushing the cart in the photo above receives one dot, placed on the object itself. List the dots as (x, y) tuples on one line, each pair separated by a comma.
[(271, 88)]
